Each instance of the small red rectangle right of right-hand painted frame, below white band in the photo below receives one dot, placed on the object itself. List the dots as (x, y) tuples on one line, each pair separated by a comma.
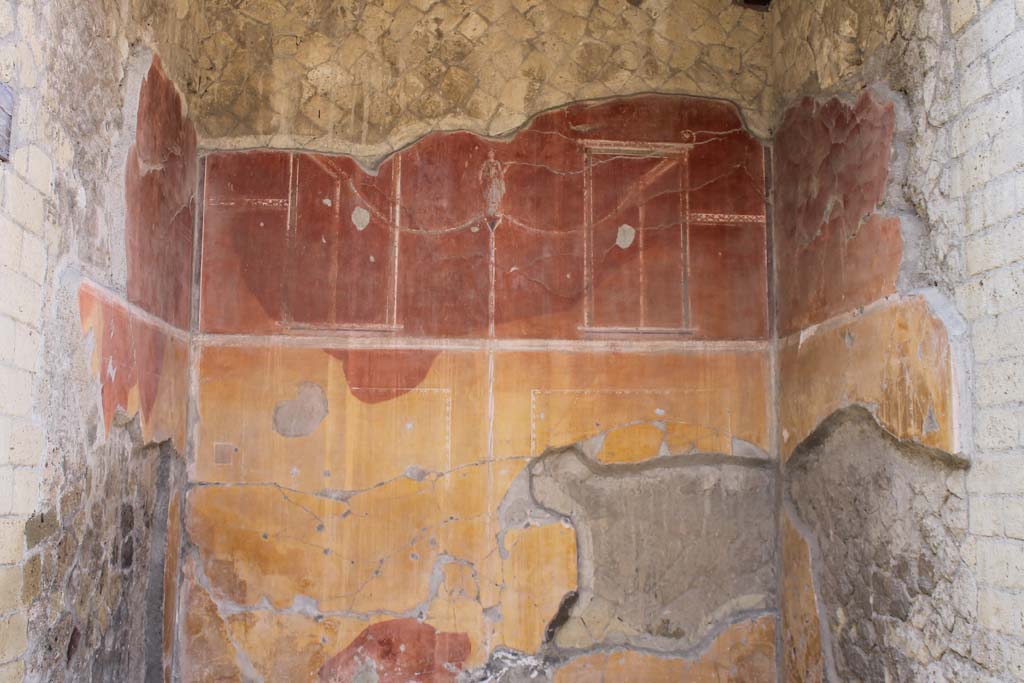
[(729, 281)]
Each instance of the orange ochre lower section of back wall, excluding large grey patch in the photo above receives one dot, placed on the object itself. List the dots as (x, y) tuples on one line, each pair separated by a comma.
[(392, 507)]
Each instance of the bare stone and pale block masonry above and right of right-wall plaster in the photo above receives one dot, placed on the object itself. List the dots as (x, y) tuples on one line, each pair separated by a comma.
[(959, 65)]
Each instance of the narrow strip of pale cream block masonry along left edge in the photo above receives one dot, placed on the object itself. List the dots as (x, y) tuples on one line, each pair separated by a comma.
[(27, 189)]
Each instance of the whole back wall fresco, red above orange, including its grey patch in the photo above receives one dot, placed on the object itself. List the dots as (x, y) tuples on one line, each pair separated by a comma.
[(385, 356)]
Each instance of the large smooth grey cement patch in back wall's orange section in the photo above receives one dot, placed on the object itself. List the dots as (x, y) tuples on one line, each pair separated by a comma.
[(669, 549)]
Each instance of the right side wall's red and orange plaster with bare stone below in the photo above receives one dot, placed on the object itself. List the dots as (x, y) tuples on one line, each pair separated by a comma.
[(866, 385)]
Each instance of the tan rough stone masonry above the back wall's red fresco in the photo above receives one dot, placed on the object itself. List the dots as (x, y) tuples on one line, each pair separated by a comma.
[(367, 78)]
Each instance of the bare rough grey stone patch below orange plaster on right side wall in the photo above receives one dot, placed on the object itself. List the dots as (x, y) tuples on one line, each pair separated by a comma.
[(886, 522)]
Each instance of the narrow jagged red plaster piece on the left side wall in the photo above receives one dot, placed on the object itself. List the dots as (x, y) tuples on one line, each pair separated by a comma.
[(160, 194)]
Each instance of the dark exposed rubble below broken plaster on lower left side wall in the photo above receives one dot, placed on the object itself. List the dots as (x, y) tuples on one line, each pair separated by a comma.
[(96, 568)]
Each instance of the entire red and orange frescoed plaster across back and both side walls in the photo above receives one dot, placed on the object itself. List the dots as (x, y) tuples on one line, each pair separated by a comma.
[(467, 414)]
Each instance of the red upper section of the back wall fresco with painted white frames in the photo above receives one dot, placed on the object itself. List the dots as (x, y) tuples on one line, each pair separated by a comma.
[(596, 220)]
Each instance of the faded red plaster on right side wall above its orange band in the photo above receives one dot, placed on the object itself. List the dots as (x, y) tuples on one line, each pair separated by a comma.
[(836, 253)]
